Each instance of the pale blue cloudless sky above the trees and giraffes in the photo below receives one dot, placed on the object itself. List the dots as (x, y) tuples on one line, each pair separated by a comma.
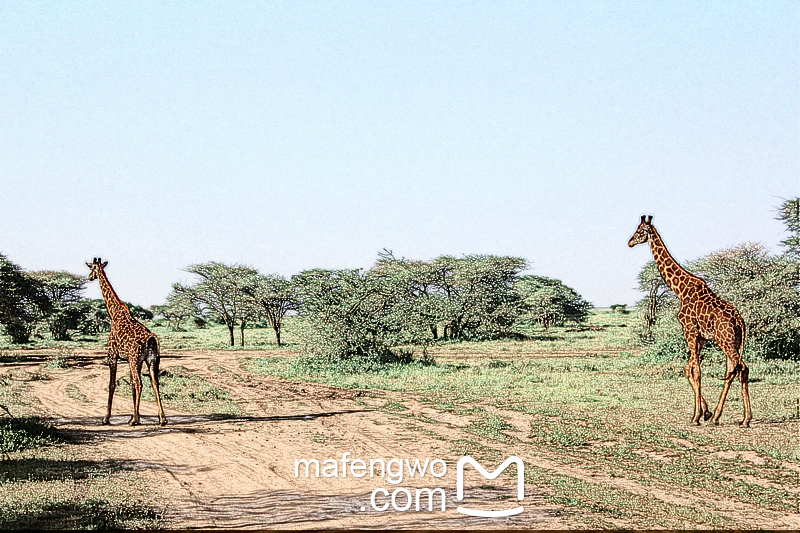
[(295, 135)]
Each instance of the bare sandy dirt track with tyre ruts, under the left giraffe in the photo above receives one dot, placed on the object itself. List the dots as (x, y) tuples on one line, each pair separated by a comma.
[(213, 471)]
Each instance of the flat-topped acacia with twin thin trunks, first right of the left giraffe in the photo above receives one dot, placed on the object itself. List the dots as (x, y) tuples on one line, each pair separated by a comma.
[(223, 291)]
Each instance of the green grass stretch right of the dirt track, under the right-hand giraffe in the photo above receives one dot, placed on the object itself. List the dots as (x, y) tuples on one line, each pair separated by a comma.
[(598, 405)]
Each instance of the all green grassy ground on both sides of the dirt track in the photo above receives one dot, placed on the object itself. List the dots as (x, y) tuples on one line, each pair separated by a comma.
[(589, 397)]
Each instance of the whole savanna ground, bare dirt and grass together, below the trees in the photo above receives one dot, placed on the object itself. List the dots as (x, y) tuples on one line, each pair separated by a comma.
[(603, 431)]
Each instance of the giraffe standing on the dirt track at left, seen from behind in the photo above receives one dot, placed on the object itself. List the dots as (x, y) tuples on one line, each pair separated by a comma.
[(129, 340)]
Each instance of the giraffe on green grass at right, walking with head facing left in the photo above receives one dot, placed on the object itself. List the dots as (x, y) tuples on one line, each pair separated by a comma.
[(703, 316)]
